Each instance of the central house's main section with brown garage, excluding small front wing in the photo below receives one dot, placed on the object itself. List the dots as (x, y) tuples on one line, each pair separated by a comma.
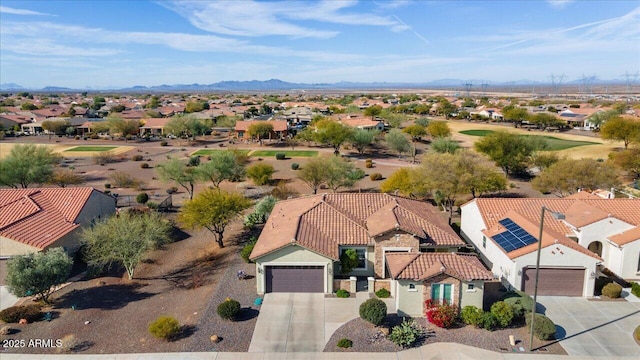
[(300, 246)]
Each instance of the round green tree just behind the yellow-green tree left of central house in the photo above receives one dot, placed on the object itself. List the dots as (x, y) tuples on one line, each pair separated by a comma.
[(223, 165)]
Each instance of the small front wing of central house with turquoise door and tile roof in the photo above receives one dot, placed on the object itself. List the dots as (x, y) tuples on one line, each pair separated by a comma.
[(451, 278)]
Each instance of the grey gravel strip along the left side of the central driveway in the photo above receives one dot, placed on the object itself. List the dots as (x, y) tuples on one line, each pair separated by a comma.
[(236, 335)]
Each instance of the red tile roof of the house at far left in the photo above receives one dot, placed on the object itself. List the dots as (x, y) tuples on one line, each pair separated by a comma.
[(39, 217)]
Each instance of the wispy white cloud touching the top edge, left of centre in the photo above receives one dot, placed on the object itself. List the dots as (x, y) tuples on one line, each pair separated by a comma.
[(282, 18)]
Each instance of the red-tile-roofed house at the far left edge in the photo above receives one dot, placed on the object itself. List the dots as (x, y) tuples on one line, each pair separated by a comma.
[(36, 219)]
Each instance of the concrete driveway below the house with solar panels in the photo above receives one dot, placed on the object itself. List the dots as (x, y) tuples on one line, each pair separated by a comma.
[(594, 328)]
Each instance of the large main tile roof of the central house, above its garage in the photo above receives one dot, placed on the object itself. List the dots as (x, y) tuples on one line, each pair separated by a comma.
[(322, 223)]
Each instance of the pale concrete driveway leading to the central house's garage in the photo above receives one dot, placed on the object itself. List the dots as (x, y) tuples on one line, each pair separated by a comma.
[(303, 322)]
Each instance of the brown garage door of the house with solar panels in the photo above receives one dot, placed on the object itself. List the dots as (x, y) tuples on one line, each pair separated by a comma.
[(554, 281)]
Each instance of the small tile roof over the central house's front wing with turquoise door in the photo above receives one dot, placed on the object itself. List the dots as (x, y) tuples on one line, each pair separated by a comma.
[(422, 266)]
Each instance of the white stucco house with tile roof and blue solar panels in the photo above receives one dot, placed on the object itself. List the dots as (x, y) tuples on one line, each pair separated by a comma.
[(595, 233)]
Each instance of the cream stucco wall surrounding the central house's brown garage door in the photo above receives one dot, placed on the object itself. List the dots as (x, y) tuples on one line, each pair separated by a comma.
[(293, 255)]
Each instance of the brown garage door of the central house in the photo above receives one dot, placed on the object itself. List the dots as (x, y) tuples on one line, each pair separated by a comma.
[(294, 278)]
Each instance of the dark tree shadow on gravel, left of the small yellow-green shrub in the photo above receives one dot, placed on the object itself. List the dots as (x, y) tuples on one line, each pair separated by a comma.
[(106, 297)]
